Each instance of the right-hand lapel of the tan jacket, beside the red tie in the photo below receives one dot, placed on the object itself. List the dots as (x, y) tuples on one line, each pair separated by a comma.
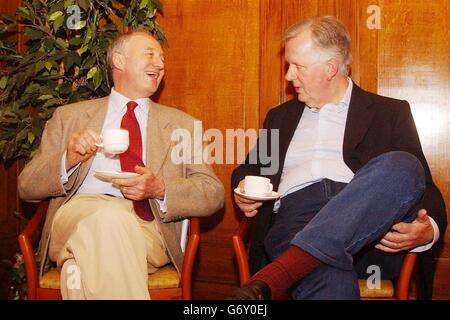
[(158, 137)]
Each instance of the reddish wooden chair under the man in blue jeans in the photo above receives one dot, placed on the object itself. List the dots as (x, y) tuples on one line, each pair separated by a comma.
[(386, 292)]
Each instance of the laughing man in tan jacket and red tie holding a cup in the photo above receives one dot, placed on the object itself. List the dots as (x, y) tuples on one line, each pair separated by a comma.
[(92, 225)]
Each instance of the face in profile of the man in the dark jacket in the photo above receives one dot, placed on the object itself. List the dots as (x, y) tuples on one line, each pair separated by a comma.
[(307, 70)]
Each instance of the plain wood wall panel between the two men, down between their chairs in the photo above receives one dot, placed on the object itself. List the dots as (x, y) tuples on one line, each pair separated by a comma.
[(212, 73)]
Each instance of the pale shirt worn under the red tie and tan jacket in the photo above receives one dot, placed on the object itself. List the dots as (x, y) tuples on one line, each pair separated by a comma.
[(117, 107)]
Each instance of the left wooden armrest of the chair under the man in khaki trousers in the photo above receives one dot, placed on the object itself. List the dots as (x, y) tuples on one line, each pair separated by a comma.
[(30, 231)]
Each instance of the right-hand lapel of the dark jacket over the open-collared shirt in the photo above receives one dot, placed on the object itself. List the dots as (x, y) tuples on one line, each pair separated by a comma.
[(359, 118)]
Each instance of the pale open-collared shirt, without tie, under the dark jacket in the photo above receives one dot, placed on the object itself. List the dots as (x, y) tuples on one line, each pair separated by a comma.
[(316, 152)]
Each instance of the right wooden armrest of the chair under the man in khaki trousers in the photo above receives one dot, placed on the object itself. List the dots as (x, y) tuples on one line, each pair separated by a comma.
[(189, 257)]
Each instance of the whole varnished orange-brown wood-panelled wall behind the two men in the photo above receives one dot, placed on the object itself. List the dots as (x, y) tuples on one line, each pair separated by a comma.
[(225, 66)]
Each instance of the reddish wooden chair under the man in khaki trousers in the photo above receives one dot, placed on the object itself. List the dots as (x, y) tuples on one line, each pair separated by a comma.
[(165, 284)]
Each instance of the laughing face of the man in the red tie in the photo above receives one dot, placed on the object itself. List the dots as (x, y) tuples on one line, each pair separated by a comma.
[(139, 69)]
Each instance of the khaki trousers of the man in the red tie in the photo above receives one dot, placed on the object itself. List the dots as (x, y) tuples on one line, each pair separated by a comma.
[(104, 249)]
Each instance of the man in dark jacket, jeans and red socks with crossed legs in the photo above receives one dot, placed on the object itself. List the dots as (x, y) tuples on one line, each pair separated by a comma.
[(356, 190)]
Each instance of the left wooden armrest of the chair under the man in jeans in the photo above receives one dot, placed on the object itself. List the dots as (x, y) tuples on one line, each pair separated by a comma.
[(240, 249)]
